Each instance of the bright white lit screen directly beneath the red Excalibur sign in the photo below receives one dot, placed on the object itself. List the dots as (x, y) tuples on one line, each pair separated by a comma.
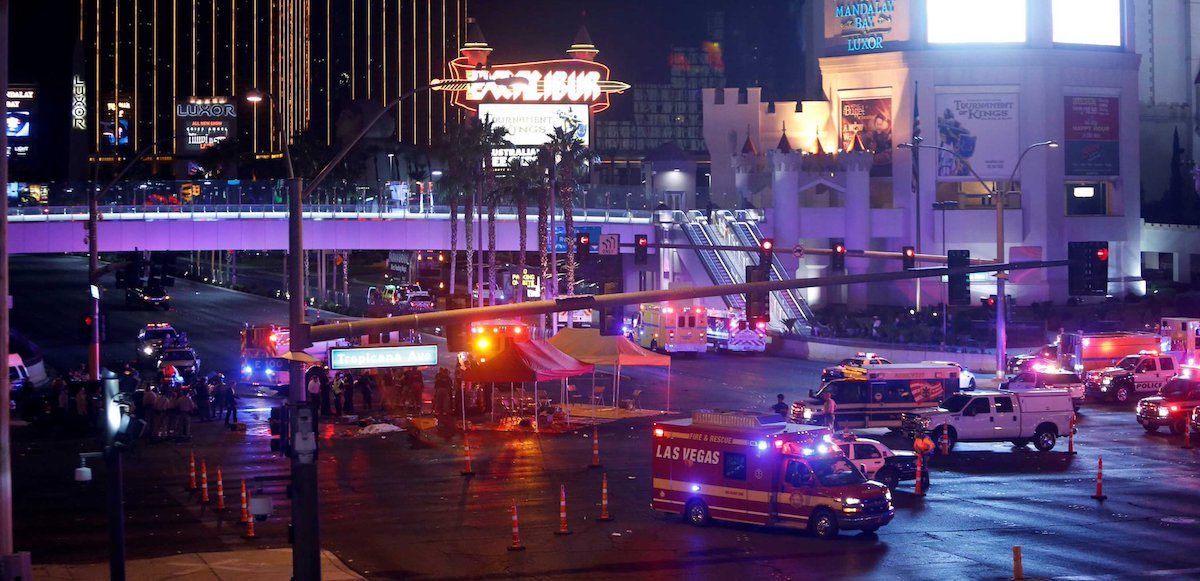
[(530, 127)]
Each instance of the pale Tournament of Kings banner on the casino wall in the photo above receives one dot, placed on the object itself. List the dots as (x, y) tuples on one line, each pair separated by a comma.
[(982, 128)]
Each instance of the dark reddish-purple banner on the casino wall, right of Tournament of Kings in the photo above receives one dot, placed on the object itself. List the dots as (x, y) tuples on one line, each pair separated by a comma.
[(1093, 135)]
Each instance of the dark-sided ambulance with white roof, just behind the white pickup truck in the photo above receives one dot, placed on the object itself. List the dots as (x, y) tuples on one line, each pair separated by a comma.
[(877, 396)]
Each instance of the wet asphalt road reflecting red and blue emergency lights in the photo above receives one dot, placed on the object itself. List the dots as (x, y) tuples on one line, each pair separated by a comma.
[(397, 512)]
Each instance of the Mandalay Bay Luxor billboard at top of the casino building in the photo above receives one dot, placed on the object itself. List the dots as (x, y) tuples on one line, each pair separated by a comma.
[(866, 27)]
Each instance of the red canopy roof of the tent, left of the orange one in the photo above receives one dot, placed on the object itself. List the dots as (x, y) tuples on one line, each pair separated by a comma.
[(529, 362)]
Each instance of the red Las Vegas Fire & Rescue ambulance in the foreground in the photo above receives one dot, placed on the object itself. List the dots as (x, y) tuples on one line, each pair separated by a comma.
[(758, 470)]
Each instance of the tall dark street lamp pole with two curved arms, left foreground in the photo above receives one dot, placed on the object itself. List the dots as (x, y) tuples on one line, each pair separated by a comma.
[(305, 518)]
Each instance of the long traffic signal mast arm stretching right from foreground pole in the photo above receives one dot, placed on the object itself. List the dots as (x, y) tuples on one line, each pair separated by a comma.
[(460, 316)]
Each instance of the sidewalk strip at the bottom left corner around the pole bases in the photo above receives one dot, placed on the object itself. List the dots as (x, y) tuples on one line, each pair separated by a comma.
[(253, 564)]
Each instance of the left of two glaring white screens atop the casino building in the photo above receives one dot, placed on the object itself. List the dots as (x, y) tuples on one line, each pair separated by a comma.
[(951, 22)]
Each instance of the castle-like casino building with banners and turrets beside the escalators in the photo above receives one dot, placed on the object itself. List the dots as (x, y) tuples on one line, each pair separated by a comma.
[(992, 81)]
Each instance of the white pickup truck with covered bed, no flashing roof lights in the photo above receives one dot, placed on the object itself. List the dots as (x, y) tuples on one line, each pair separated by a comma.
[(1040, 416)]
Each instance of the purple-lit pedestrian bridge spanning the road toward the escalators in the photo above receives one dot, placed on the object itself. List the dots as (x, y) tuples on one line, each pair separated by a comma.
[(55, 230)]
